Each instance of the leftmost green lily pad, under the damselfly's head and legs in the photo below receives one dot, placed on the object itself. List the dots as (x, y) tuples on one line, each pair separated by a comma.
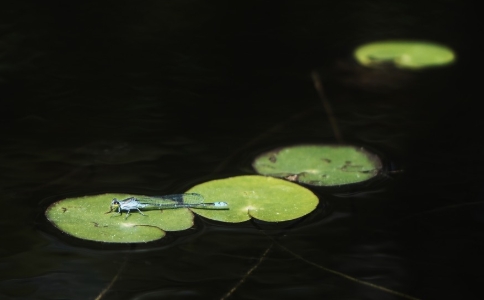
[(86, 218)]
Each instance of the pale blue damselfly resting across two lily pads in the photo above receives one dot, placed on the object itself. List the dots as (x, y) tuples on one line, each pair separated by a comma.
[(189, 200)]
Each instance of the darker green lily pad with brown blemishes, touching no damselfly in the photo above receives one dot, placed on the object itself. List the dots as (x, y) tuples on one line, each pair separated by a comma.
[(319, 165)]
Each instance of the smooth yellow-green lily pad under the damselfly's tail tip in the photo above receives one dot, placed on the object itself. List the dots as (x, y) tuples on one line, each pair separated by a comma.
[(264, 198)]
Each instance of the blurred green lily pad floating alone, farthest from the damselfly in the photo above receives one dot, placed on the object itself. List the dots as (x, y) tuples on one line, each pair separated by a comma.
[(404, 54)]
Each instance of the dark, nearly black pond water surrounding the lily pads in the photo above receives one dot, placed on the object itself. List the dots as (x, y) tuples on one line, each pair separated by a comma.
[(153, 98)]
